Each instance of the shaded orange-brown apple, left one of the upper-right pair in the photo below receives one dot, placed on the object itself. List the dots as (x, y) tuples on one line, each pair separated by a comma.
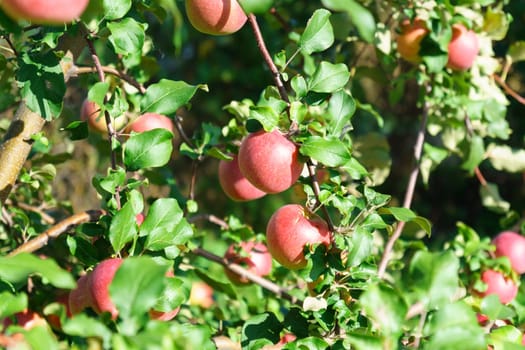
[(409, 40)]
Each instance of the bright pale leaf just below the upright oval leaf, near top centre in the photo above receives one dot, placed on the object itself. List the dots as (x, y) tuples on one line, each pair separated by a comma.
[(329, 77)]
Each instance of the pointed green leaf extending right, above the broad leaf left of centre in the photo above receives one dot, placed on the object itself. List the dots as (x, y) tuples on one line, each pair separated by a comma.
[(167, 96)]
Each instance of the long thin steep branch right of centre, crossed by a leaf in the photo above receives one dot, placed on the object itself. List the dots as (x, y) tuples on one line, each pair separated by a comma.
[(411, 186)]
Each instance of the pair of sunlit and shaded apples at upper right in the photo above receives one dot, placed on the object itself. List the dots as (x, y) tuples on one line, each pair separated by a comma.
[(463, 47)]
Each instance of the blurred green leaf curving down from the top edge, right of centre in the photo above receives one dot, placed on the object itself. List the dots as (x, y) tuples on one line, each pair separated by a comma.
[(360, 16)]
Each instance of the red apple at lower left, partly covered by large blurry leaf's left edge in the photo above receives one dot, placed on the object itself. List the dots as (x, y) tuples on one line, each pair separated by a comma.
[(101, 278)]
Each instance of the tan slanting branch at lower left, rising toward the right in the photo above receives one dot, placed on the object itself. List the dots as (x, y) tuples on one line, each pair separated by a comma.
[(43, 239)]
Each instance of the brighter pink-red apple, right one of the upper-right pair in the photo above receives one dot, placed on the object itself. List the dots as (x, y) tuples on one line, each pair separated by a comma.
[(463, 48)]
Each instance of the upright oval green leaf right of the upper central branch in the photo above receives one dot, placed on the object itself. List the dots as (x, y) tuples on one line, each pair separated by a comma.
[(318, 34)]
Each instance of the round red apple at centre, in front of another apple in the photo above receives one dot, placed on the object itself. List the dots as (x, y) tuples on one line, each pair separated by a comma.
[(270, 161)]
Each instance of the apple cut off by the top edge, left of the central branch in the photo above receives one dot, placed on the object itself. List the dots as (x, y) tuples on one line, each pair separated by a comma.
[(215, 17)]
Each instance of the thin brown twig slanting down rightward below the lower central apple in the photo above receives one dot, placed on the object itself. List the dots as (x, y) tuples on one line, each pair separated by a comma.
[(242, 272)]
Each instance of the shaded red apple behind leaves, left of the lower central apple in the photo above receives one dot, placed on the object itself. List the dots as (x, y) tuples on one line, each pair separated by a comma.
[(253, 256)]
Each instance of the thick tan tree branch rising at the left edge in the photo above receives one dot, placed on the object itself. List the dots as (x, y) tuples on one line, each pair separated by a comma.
[(16, 146)]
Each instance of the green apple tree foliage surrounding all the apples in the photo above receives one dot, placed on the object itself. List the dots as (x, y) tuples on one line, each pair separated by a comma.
[(415, 167)]
